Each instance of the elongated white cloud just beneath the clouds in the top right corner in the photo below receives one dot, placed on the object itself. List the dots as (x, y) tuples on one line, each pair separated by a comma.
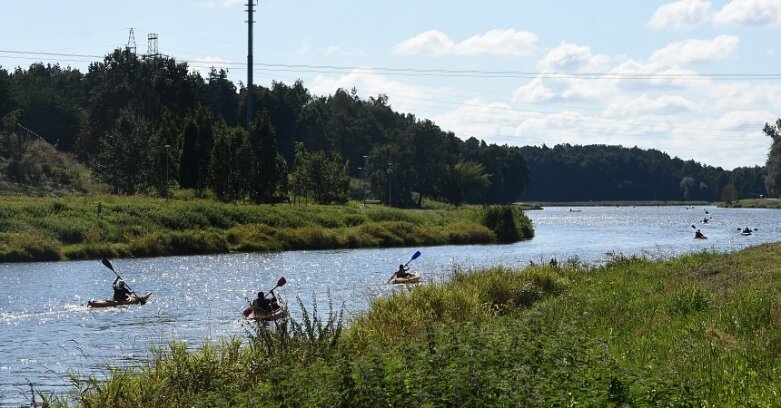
[(697, 50)]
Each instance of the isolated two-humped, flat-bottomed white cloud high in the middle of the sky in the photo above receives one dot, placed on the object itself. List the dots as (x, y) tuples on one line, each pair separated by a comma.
[(494, 42)]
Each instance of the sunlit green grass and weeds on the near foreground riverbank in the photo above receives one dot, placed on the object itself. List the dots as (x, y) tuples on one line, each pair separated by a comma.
[(701, 330)]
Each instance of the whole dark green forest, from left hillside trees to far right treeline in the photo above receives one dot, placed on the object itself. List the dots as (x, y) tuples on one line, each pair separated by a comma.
[(148, 124)]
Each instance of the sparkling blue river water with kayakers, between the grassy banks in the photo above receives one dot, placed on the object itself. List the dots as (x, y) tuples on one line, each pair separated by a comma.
[(48, 333)]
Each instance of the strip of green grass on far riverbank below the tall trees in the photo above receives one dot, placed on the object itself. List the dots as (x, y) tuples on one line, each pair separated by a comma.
[(44, 229)]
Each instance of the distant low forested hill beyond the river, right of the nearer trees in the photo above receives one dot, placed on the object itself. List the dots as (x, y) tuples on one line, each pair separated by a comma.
[(599, 172)]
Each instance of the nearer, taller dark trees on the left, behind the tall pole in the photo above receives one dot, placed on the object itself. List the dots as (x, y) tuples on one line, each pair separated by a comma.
[(146, 124)]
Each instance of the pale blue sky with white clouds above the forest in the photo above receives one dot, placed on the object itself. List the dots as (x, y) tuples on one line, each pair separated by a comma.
[(693, 78)]
